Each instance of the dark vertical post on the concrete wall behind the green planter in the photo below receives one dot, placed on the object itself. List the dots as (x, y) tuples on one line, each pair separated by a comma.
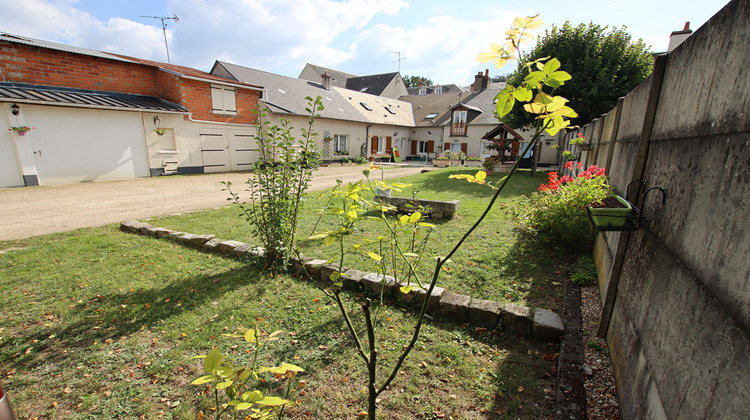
[(639, 171)]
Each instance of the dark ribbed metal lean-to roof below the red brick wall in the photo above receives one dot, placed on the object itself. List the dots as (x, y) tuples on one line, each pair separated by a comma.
[(24, 93)]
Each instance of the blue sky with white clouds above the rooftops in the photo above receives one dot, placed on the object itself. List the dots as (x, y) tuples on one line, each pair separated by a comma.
[(436, 39)]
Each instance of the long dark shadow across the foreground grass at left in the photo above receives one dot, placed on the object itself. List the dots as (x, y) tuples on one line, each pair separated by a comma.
[(116, 316)]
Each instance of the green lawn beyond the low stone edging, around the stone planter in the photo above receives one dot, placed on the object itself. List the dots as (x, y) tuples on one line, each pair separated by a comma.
[(493, 264)]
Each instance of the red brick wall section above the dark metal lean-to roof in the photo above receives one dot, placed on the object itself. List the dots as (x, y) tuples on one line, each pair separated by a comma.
[(47, 67)]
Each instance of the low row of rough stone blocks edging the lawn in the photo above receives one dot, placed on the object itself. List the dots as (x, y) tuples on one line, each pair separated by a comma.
[(489, 314)]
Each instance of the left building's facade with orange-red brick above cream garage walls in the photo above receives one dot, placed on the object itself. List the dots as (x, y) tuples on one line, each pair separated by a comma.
[(98, 116)]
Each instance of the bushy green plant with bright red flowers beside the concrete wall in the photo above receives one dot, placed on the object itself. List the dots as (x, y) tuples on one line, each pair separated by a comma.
[(558, 208)]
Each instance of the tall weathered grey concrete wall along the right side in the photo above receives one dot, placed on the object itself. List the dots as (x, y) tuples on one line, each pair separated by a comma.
[(678, 289)]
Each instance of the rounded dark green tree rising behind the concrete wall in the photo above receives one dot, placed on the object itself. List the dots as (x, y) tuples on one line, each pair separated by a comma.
[(607, 63)]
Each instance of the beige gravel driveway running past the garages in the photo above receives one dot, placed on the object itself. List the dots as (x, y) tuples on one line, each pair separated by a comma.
[(32, 211)]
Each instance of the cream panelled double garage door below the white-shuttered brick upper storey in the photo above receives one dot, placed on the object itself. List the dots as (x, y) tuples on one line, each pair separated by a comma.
[(225, 150)]
